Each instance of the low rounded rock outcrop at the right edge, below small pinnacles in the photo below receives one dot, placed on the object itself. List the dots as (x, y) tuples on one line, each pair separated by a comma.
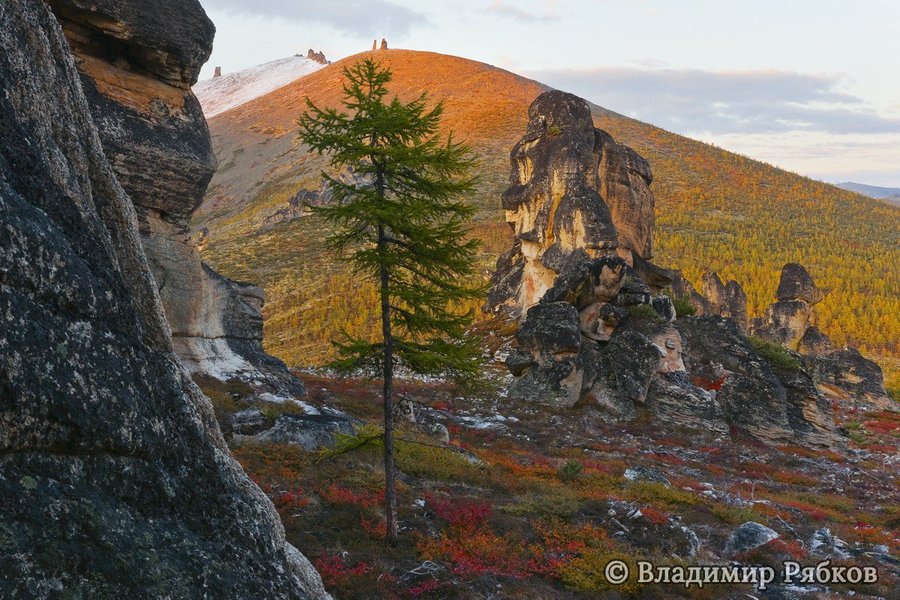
[(849, 376)]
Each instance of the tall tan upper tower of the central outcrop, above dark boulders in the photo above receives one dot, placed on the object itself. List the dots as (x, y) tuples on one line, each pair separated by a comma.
[(572, 188)]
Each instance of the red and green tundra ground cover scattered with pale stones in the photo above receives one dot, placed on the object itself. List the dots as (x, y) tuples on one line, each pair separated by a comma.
[(505, 512)]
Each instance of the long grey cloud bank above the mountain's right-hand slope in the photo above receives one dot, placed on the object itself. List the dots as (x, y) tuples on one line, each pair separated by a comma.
[(693, 101)]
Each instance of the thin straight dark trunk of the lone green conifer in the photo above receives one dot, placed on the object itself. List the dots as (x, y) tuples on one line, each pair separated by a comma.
[(390, 495)]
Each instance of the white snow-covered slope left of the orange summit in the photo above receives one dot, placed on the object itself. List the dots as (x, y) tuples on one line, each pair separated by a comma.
[(220, 94)]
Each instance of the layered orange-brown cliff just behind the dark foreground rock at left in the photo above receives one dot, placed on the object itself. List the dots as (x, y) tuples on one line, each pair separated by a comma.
[(138, 61)]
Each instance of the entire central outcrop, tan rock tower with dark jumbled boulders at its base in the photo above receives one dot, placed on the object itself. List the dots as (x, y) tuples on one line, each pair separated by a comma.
[(593, 332)]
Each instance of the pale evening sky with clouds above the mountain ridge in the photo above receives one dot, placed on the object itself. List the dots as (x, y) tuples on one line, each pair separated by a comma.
[(808, 85)]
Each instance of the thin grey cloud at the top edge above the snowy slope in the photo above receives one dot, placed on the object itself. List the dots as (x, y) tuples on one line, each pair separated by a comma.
[(354, 17)]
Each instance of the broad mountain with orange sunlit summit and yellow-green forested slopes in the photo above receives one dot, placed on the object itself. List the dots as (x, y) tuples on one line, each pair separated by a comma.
[(742, 218)]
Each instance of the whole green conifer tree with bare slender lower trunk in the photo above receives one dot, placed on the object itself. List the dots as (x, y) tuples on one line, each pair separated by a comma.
[(400, 221)]
